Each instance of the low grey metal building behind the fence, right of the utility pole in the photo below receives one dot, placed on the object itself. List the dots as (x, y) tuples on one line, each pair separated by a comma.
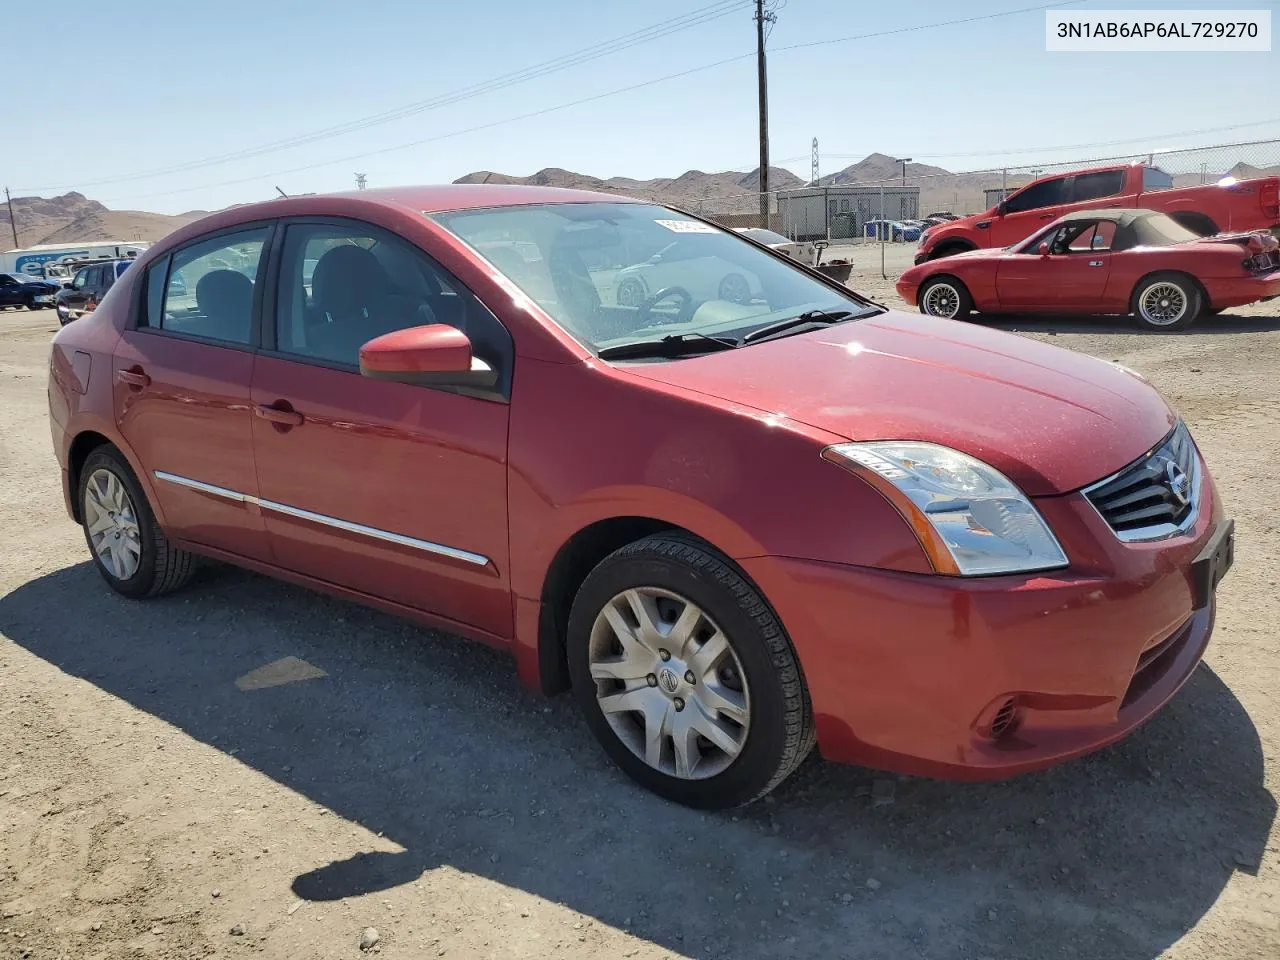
[(842, 213)]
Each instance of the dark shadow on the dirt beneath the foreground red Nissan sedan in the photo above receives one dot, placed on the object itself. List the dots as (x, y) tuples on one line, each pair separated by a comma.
[(435, 744)]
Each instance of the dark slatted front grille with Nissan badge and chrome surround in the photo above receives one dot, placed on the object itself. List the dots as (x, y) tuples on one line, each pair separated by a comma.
[(1155, 497)]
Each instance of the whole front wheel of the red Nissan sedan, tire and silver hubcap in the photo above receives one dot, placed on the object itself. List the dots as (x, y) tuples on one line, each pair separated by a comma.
[(751, 694)]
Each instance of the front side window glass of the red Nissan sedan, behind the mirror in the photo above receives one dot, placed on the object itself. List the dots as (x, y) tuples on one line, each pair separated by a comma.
[(344, 285)]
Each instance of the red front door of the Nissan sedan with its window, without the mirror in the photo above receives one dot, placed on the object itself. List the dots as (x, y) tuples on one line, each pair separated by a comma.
[(392, 490)]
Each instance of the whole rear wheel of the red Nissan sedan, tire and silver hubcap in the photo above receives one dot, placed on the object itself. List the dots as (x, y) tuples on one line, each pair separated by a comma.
[(139, 540)]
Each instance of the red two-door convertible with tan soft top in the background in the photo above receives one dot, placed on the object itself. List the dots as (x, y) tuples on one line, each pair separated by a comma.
[(1104, 262)]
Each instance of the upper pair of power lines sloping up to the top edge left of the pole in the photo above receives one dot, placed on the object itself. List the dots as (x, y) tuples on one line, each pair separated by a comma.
[(627, 42)]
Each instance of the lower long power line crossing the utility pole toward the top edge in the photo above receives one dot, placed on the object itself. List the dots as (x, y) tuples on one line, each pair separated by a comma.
[(579, 103)]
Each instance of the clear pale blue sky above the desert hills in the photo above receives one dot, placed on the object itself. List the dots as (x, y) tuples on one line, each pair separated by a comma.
[(184, 84)]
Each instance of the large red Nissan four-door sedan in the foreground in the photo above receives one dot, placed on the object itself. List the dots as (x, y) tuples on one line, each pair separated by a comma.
[(734, 528)]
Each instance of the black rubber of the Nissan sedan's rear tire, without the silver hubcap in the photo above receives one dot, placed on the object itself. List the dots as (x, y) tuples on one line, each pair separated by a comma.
[(162, 566)]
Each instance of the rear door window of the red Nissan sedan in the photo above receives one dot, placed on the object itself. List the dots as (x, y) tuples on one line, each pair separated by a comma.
[(207, 290)]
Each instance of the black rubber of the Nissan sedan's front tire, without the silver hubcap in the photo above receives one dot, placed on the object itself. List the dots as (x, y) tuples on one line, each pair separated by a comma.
[(781, 729)]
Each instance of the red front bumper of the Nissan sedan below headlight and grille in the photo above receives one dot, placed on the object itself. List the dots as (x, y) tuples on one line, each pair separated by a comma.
[(989, 678)]
